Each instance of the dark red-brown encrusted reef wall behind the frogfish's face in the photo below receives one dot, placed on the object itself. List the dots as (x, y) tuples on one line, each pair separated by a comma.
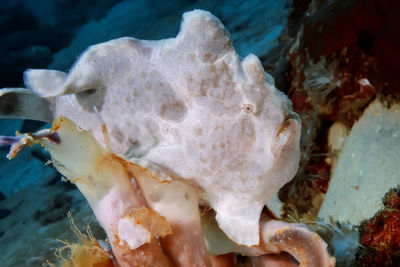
[(338, 68)]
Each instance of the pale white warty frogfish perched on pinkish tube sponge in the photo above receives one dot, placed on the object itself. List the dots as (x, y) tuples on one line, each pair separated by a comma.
[(186, 108)]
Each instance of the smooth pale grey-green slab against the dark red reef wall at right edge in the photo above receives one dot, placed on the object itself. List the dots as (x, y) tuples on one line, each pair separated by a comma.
[(367, 167)]
